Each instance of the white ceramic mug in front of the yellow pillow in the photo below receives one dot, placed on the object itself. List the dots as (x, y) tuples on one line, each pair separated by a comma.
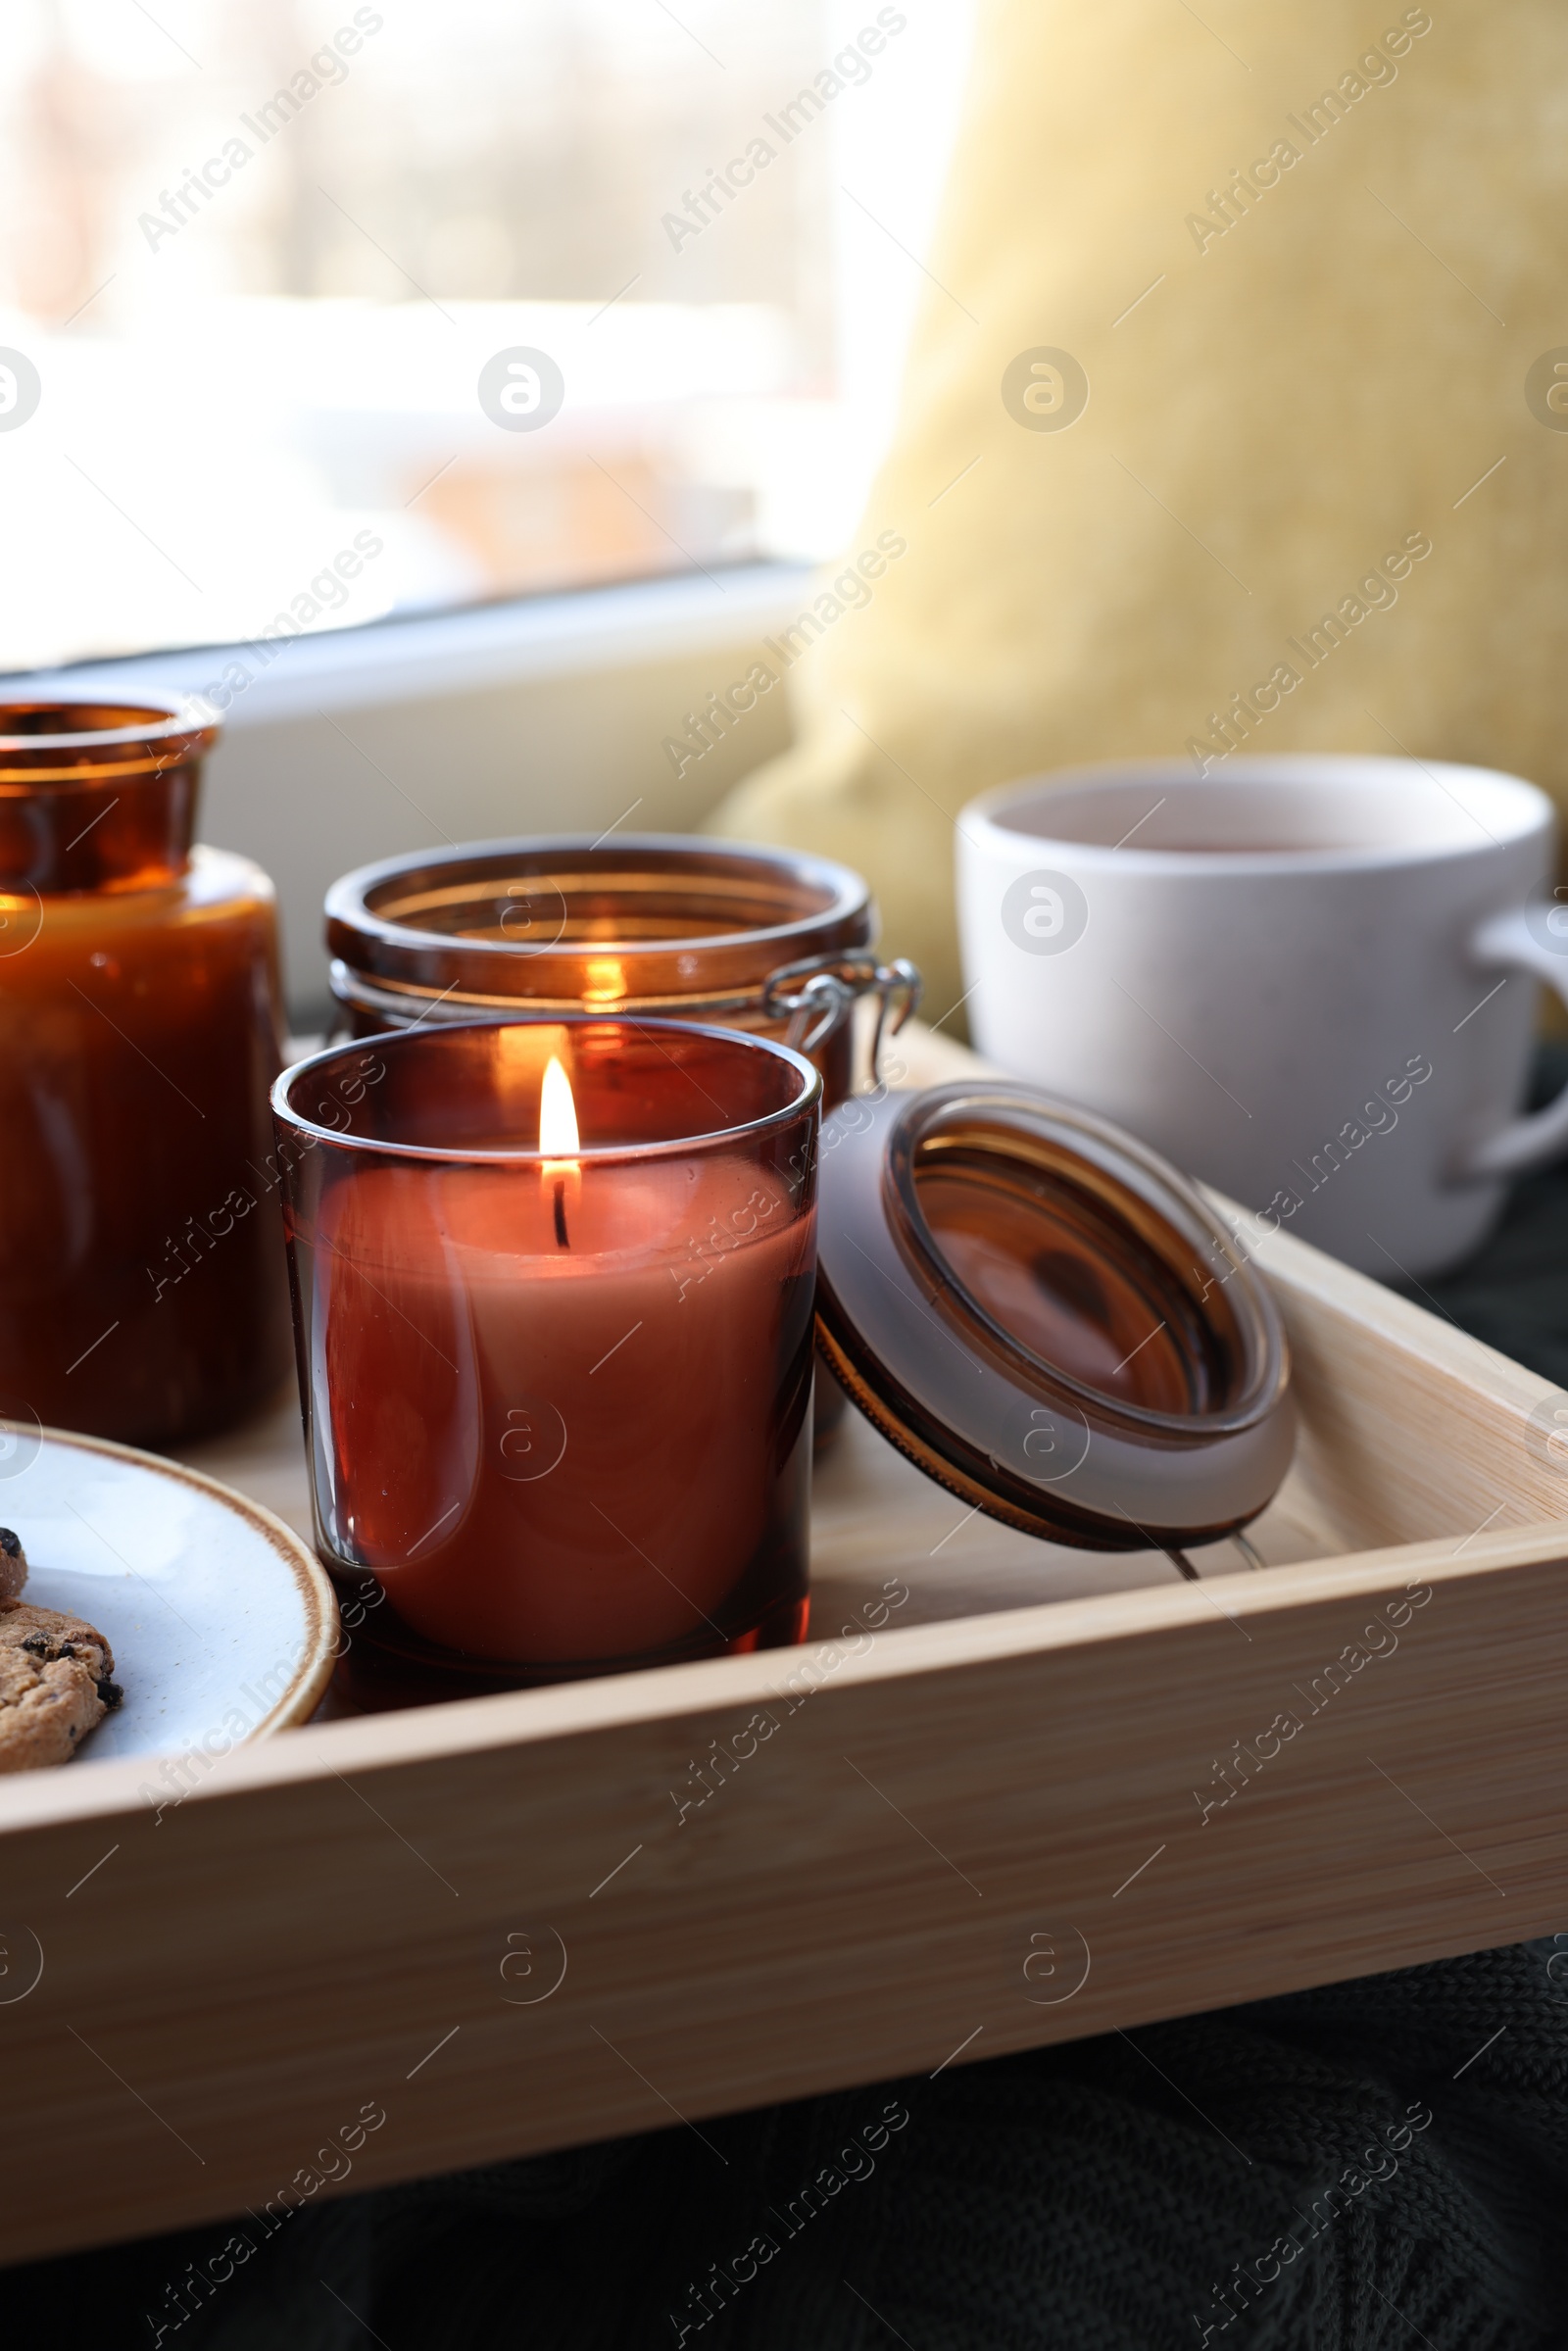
[(1308, 982)]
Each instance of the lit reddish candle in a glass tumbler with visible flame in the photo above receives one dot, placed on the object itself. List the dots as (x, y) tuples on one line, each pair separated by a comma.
[(554, 1292)]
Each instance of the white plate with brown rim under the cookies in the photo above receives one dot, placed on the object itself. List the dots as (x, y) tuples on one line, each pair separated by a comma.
[(220, 1619)]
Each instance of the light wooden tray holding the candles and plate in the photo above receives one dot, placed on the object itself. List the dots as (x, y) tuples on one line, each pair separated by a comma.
[(1031, 1795)]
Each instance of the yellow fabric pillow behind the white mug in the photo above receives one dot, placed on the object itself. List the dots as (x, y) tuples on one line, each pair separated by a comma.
[(1235, 417)]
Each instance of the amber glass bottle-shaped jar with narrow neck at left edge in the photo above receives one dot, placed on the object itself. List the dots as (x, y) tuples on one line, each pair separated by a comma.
[(142, 1266)]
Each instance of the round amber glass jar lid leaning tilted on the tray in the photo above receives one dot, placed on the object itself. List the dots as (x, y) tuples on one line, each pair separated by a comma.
[(1050, 1320)]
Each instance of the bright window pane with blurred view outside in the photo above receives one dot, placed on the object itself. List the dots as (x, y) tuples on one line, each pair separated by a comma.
[(316, 312)]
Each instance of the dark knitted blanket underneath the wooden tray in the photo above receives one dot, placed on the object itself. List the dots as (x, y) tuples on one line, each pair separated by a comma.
[(1365, 2169)]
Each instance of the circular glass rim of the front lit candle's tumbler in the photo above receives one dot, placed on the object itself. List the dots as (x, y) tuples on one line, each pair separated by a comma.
[(808, 1097)]
